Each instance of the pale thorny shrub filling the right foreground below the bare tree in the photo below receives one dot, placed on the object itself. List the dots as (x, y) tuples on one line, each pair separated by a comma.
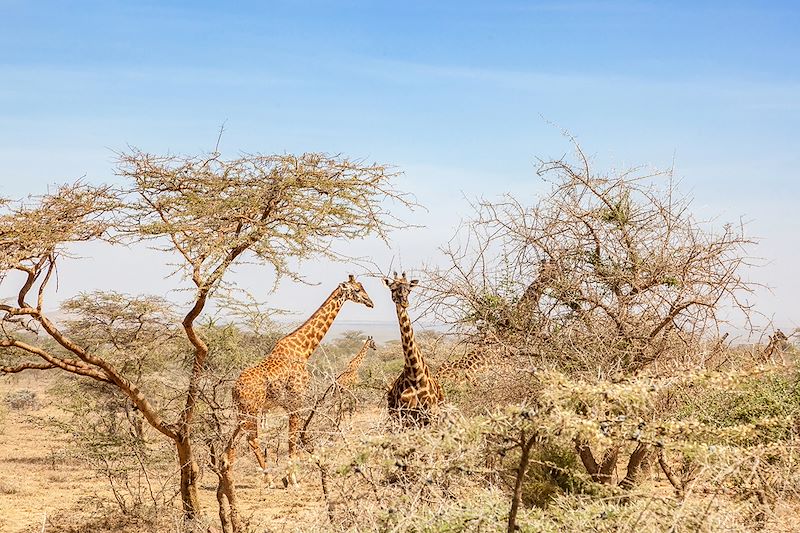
[(459, 474)]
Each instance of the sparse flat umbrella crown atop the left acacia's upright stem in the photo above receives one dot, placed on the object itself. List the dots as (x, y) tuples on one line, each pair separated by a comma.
[(275, 206)]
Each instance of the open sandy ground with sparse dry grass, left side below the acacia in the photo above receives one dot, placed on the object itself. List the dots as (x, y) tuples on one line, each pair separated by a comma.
[(46, 484)]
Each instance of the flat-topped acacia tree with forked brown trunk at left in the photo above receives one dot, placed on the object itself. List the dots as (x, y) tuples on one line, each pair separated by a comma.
[(212, 213)]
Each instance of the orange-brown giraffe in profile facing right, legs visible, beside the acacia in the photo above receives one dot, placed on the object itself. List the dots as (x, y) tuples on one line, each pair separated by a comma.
[(281, 379)]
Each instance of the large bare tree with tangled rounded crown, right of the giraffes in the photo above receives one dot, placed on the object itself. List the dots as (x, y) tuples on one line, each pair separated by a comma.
[(604, 276)]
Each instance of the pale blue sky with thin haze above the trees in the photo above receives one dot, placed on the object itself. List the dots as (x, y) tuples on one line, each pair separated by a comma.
[(458, 95)]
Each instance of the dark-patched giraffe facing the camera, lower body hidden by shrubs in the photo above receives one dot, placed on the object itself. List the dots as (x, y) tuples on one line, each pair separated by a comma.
[(414, 394)]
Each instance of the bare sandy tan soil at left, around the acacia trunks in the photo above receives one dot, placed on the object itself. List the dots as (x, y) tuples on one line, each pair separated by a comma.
[(43, 485)]
